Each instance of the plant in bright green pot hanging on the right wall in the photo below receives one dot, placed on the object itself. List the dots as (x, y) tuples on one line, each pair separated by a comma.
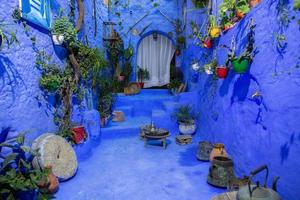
[(241, 63)]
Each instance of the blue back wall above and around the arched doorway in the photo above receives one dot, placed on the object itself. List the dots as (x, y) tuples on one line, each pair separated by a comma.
[(135, 10)]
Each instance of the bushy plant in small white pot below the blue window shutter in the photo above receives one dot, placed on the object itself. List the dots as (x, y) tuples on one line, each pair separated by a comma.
[(63, 31)]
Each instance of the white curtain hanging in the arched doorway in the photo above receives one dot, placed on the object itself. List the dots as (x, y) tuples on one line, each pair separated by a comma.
[(156, 55)]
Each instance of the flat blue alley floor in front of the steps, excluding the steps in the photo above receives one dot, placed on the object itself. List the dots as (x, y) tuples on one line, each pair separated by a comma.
[(121, 168)]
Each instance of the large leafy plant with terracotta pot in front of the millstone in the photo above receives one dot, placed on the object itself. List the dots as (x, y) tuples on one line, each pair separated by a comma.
[(19, 180)]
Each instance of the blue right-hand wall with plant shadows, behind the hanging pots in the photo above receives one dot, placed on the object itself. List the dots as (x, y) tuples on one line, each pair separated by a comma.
[(264, 130)]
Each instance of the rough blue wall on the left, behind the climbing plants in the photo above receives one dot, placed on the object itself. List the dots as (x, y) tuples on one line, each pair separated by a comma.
[(22, 106)]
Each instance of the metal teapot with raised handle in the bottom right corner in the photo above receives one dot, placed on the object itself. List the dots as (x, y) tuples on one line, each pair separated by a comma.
[(258, 192)]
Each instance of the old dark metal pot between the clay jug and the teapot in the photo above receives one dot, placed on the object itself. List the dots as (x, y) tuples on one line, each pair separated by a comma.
[(221, 172)]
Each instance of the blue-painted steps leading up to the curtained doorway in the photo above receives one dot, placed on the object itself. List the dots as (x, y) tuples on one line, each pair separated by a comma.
[(151, 104)]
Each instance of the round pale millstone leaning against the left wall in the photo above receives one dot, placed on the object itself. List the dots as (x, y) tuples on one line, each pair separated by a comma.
[(55, 151)]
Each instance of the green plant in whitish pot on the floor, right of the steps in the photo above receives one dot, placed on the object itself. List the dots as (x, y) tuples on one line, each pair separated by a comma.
[(186, 118)]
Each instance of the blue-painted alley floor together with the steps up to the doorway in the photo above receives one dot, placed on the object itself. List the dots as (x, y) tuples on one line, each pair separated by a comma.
[(122, 168)]
